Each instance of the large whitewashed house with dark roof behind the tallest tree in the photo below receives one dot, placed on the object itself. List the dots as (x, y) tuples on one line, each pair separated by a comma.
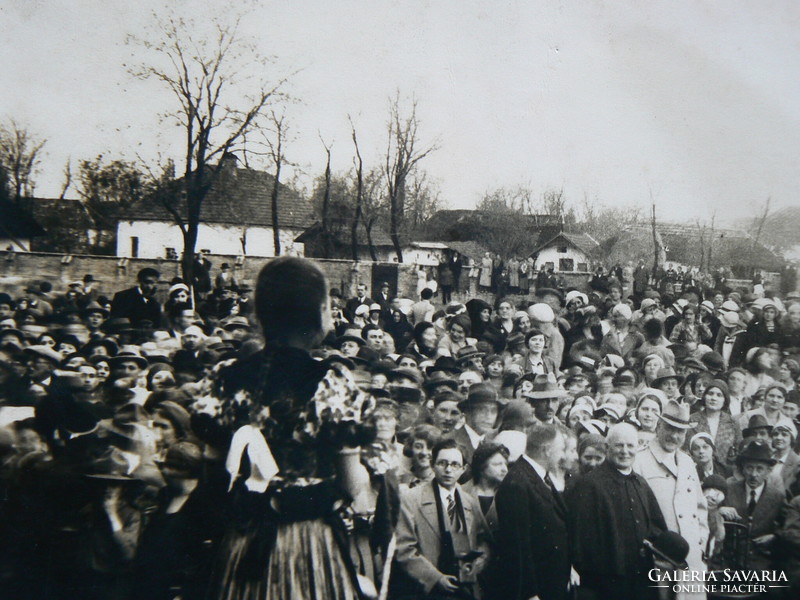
[(236, 219)]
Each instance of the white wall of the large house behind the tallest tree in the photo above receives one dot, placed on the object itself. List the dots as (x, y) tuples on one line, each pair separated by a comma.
[(154, 238)]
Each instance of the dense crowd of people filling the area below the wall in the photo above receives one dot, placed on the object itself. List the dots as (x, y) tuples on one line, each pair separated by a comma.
[(298, 442)]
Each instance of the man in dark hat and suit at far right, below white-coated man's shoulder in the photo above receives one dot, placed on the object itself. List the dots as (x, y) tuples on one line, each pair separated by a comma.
[(756, 499)]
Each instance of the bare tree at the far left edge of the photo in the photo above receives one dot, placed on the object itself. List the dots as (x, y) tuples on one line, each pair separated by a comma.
[(20, 156)]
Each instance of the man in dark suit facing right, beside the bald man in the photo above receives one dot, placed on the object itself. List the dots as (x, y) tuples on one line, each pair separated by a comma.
[(534, 557)]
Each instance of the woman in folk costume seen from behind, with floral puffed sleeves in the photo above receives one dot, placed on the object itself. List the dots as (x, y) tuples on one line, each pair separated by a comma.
[(294, 425)]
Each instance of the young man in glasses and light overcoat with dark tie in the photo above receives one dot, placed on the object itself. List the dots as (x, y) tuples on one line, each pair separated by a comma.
[(439, 527)]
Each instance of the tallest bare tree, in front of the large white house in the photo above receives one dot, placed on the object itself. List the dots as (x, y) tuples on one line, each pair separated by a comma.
[(208, 77)]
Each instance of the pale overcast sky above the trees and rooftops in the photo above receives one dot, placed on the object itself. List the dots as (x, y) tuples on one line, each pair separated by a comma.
[(693, 104)]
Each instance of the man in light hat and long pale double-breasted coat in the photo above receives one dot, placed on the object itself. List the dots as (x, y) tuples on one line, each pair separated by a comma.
[(673, 478)]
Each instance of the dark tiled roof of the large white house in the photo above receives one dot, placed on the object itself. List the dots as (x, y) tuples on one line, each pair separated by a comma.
[(240, 196)]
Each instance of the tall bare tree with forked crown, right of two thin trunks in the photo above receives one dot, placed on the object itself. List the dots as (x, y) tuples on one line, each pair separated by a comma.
[(403, 154)]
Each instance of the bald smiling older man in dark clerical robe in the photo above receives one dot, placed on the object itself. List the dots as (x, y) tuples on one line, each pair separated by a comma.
[(611, 511)]
